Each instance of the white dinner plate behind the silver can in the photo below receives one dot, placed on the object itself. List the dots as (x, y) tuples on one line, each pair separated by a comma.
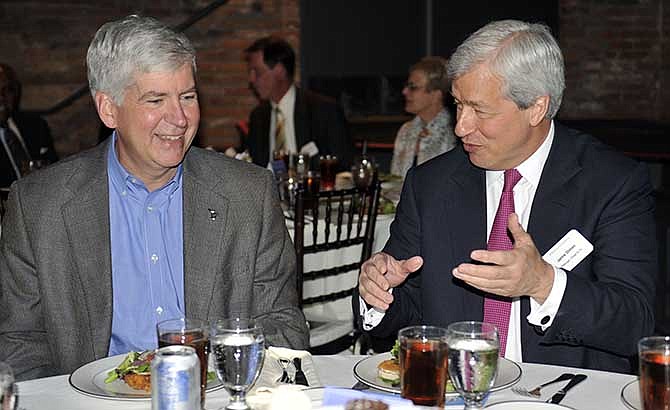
[(89, 379)]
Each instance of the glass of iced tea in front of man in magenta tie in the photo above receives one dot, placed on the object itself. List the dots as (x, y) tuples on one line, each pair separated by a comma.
[(423, 364)]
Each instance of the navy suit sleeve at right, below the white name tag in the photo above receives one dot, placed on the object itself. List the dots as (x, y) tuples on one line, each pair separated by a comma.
[(610, 306)]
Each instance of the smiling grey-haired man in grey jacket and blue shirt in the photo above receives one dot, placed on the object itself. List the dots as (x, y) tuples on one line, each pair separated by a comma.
[(98, 248)]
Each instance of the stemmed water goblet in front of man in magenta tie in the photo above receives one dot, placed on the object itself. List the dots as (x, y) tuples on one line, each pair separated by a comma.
[(473, 360)]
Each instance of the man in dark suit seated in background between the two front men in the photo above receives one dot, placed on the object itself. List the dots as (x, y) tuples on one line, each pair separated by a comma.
[(304, 117)]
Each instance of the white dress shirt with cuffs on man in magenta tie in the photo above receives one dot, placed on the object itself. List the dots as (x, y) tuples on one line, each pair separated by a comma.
[(524, 193)]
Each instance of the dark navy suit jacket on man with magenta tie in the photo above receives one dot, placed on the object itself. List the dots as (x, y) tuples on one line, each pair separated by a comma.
[(608, 302)]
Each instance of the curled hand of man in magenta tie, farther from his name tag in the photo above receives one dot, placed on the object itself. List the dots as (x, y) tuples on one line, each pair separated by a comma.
[(382, 272)]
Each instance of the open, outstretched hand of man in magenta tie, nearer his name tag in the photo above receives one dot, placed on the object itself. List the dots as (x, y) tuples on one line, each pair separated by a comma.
[(517, 272)]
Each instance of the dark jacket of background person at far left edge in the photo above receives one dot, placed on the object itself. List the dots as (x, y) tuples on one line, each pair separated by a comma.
[(36, 135)]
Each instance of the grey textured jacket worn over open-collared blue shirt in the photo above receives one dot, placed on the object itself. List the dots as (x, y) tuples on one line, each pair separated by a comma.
[(55, 259)]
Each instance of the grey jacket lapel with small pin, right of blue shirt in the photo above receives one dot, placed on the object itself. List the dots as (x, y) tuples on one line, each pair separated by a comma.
[(205, 220)]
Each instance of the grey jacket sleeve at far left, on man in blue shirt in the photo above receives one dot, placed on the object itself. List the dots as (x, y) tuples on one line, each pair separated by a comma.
[(23, 338)]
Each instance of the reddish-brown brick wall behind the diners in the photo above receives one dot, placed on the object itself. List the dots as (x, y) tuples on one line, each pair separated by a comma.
[(617, 57)]
